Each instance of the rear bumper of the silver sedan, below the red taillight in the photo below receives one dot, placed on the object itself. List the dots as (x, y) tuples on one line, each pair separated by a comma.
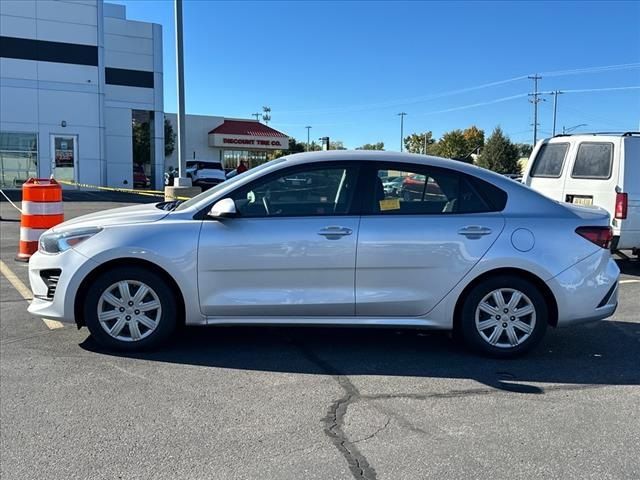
[(588, 290)]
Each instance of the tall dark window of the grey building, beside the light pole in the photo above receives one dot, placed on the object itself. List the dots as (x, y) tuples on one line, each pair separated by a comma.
[(143, 151)]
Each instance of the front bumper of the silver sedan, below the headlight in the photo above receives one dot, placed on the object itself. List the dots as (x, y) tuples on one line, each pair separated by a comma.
[(73, 268)]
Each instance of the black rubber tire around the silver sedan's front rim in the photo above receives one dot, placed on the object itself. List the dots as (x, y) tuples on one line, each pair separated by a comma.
[(166, 323)]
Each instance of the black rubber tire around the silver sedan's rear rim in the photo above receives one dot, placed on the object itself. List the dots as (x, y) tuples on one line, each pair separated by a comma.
[(471, 335)]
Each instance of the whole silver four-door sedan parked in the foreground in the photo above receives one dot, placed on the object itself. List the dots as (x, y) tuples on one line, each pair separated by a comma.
[(480, 258)]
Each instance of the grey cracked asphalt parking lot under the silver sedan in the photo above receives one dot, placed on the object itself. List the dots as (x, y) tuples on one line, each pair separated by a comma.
[(307, 403)]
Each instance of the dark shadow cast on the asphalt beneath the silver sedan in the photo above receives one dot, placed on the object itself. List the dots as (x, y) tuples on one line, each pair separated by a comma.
[(603, 353)]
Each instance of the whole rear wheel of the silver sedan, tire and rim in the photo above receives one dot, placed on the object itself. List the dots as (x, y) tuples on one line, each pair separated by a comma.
[(503, 316)]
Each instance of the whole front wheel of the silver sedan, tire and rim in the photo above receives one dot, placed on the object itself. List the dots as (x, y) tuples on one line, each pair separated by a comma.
[(130, 308)]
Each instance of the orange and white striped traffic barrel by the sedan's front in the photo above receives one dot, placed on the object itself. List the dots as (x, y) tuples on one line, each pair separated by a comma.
[(41, 210)]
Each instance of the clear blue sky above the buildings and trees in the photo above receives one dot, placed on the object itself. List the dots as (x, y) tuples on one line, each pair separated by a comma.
[(348, 68)]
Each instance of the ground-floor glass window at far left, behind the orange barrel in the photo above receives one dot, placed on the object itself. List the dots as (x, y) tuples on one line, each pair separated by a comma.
[(18, 158)]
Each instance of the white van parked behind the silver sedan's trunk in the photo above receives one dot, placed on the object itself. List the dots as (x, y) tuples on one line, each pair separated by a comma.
[(593, 169)]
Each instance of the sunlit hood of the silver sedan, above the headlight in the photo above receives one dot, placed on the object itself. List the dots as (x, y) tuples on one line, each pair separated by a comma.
[(117, 216)]
